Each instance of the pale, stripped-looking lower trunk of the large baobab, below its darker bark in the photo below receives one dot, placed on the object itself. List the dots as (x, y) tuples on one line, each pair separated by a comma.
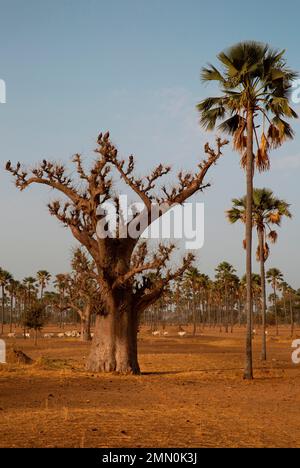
[(114, 346)]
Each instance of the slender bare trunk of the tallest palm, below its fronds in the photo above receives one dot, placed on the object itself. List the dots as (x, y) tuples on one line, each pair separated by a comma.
[(248, 373)]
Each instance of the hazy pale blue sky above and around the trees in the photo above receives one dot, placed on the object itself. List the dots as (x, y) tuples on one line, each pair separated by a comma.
[(74, 67)]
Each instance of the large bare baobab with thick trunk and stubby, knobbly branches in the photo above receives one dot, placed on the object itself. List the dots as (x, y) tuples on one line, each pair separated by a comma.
[(122, 260)]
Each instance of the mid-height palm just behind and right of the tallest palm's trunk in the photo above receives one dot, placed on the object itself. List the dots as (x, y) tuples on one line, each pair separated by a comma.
[(268, 212)]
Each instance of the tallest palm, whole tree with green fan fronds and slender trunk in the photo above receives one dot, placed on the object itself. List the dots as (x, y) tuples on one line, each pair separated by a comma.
[(255, 82)]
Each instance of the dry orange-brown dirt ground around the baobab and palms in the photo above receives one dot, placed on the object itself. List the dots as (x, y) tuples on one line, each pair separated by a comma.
[(191, 394)]
